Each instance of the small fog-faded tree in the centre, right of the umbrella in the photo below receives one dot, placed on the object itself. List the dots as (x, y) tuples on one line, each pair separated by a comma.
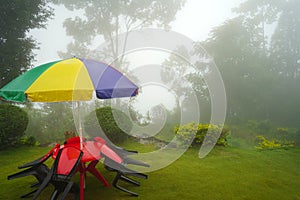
[(185, 77)]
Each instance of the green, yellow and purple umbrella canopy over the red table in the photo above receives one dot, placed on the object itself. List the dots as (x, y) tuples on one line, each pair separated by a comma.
[(72, 79)]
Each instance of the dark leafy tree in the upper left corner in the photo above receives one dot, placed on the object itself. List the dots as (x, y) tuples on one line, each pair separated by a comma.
[(17, 18)]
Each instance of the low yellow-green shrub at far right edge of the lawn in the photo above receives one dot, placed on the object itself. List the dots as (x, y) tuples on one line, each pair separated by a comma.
[(264, 143)]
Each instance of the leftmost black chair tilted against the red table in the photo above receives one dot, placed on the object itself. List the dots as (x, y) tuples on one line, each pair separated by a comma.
[(36, 168)]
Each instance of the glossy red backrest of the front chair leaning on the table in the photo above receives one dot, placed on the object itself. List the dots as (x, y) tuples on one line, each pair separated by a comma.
[(67, 160)]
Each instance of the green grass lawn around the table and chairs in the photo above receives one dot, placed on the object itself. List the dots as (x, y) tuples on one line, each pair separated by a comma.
[(226, 173)]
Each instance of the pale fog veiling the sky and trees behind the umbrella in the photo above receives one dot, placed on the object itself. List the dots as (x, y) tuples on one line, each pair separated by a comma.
[(226, 62)]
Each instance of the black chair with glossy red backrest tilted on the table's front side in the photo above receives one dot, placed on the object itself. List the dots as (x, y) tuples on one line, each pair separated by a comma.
[(65, 165)]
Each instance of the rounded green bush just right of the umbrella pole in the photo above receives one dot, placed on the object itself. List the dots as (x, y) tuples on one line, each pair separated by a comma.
[(114, 123)]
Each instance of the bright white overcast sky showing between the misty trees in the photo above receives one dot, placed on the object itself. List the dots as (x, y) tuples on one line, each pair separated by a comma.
[(195, 21)]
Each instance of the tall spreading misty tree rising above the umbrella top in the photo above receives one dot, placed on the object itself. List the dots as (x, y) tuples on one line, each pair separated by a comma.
[(108, 19)]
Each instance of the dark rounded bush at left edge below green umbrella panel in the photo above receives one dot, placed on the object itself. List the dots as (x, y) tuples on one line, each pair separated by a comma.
[(13, 123)]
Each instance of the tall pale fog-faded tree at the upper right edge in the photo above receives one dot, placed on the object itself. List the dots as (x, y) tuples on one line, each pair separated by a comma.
[(285, 45)]
